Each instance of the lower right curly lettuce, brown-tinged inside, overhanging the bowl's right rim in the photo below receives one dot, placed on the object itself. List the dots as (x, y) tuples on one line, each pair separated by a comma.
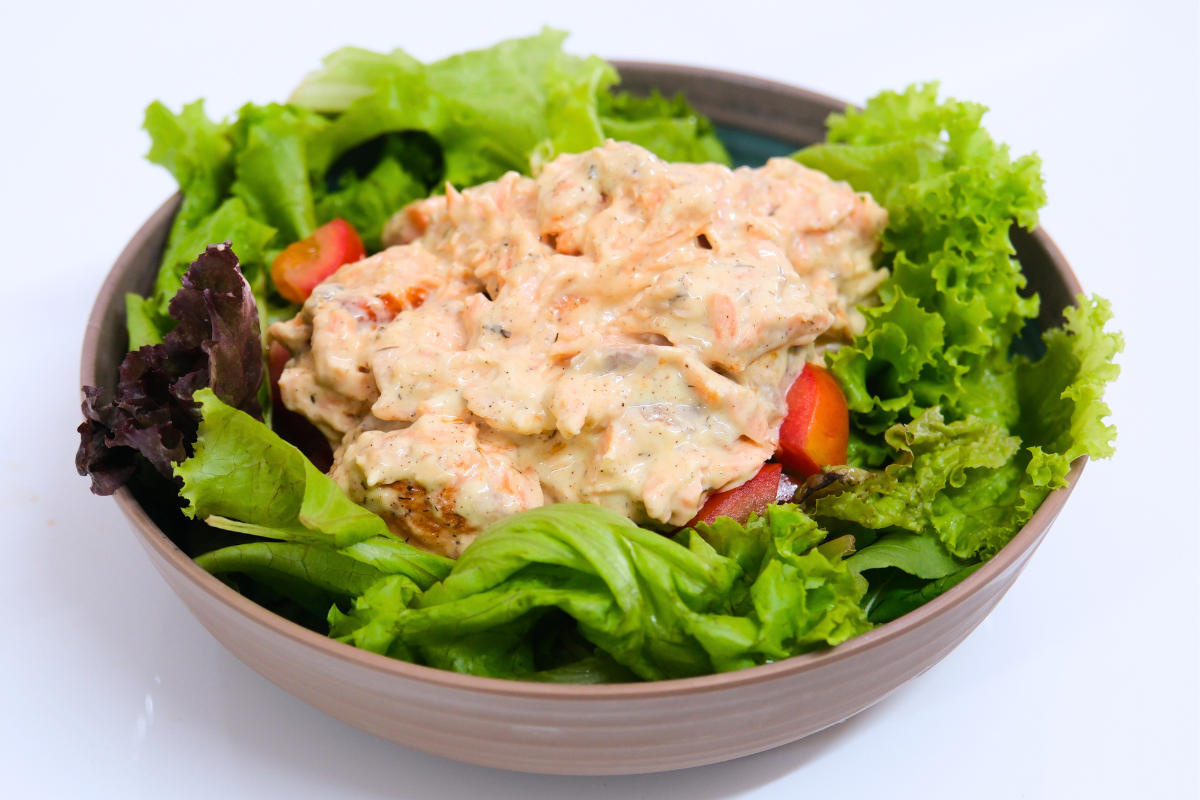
[(970, 483)]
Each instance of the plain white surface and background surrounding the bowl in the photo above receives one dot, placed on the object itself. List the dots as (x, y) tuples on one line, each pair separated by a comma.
[(1084, 682)]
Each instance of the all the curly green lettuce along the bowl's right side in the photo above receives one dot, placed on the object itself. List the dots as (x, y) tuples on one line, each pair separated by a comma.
[(976, 440)]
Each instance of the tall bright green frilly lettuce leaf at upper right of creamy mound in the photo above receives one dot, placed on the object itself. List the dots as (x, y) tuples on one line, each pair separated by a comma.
[(952, 195)]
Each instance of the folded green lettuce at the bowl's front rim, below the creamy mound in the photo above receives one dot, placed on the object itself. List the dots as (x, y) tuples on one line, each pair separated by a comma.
[(662, 607)]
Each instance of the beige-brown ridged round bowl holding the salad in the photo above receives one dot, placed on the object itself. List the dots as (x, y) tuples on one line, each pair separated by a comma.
[(611, 730)]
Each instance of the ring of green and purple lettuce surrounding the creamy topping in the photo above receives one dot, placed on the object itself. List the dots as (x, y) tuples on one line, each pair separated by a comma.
[(963, 417)]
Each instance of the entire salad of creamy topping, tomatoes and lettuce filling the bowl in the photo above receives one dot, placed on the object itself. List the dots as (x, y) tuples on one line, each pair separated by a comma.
[(770, 408)]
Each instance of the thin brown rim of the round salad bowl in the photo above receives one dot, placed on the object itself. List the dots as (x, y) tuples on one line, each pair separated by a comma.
[(1009, 558)]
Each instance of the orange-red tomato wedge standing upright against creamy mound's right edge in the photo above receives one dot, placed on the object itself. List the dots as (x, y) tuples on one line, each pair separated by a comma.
[(817, 431)]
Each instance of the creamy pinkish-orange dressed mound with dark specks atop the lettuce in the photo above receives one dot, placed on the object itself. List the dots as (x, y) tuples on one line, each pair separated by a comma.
[(619, 330)]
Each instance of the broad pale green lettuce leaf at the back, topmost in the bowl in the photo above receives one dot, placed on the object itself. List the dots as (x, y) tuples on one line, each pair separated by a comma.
[(489, 110)]
